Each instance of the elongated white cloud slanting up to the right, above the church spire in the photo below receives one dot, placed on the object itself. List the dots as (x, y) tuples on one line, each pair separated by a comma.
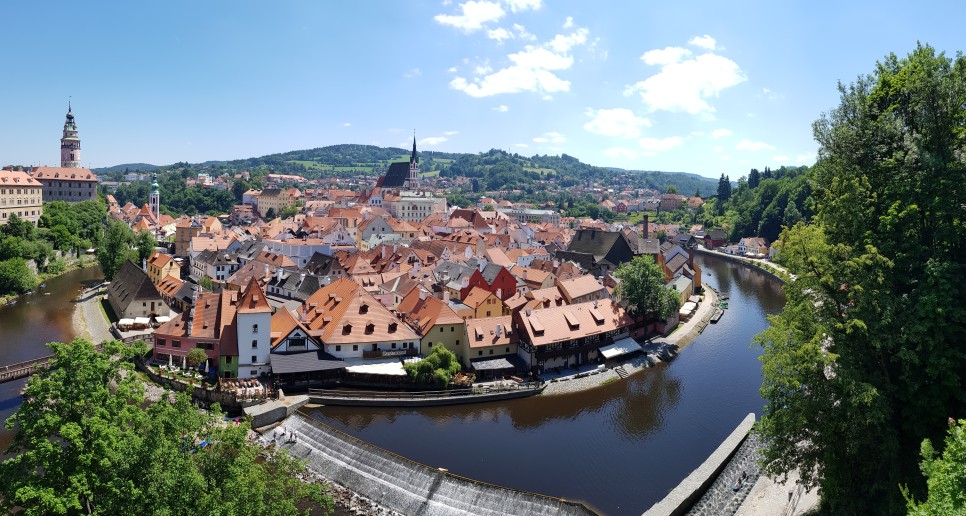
[(532, 69)]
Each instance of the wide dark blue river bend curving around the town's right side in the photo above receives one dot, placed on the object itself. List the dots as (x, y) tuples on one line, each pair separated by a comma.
[(618, 448)]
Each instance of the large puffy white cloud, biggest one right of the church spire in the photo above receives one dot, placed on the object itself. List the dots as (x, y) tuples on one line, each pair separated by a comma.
[(685, 83)]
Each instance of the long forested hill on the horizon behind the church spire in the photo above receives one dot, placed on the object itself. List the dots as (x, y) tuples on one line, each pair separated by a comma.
[(495, 169)]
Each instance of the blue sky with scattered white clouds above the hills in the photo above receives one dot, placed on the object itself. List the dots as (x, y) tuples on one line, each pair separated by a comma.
[(703, 87)]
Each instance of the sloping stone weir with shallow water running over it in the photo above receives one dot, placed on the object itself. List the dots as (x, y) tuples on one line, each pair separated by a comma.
[(408, 487)]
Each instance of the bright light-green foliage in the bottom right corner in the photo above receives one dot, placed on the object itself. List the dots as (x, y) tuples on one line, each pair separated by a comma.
[(945, 475)]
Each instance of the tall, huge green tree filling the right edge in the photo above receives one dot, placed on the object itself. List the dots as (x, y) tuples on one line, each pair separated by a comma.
[(866, 360)]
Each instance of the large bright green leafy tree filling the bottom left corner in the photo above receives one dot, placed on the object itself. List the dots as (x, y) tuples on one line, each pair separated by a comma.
[(84, 444)]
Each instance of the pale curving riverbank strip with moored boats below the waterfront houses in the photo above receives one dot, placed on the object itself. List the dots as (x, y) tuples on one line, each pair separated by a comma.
[(592, 377)]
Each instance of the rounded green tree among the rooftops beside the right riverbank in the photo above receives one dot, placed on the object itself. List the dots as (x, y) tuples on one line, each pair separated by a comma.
[(642, 286)]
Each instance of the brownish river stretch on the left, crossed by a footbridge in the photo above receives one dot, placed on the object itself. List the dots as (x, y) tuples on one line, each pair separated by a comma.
[(27, 326)]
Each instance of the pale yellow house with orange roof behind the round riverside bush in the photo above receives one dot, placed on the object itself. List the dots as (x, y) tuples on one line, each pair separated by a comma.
[(435, 322)]
